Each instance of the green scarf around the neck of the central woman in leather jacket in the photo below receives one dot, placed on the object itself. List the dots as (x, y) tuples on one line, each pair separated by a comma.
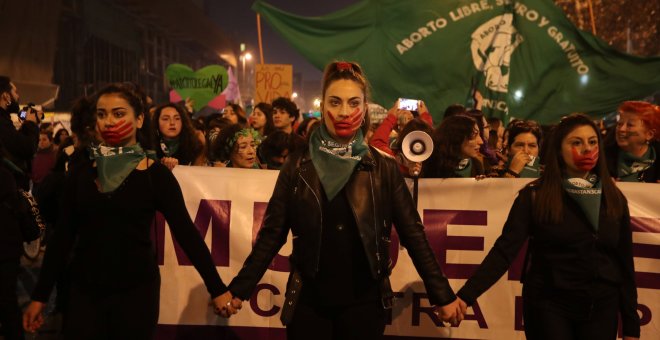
[(335, 162)]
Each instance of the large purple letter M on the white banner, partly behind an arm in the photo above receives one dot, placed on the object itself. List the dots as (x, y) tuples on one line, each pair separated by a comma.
[(214, 212)]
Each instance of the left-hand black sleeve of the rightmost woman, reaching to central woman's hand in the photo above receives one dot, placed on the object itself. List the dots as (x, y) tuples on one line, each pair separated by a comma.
[(504, 251)]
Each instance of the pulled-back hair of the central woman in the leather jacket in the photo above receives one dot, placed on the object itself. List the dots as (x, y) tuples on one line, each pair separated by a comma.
[(349, 71)]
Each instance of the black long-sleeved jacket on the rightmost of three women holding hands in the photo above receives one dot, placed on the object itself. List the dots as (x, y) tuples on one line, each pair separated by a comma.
[(568, 257)]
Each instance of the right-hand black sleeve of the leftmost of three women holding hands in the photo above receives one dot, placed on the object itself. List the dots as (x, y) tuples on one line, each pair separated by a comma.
[(169, 201)]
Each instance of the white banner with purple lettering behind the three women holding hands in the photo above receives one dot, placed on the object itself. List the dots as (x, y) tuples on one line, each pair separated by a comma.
[(462, 219)]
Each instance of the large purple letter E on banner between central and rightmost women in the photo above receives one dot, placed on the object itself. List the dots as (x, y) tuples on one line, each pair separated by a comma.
[(436, 222)]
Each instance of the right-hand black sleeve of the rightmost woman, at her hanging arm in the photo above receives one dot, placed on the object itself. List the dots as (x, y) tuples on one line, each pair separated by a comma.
[(628, 289)]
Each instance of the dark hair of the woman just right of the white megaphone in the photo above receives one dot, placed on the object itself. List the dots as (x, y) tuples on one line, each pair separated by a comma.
[(448, 140)]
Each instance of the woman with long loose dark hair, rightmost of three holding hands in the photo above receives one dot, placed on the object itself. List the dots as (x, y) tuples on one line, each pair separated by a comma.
[(578, 275)]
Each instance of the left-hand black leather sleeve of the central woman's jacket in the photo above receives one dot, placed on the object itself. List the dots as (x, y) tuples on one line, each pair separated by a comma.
[(271, 236)]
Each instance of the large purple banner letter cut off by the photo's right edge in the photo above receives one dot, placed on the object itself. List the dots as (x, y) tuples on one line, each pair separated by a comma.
[(650, 251)]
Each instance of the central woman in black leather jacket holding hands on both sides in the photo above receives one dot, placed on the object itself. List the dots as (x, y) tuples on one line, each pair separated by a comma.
[(340, 198)]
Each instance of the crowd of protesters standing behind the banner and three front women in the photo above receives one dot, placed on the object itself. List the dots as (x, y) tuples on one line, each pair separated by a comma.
[(466, 143)]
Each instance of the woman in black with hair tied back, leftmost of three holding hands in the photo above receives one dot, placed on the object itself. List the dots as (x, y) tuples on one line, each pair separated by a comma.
[(103, 236)]
